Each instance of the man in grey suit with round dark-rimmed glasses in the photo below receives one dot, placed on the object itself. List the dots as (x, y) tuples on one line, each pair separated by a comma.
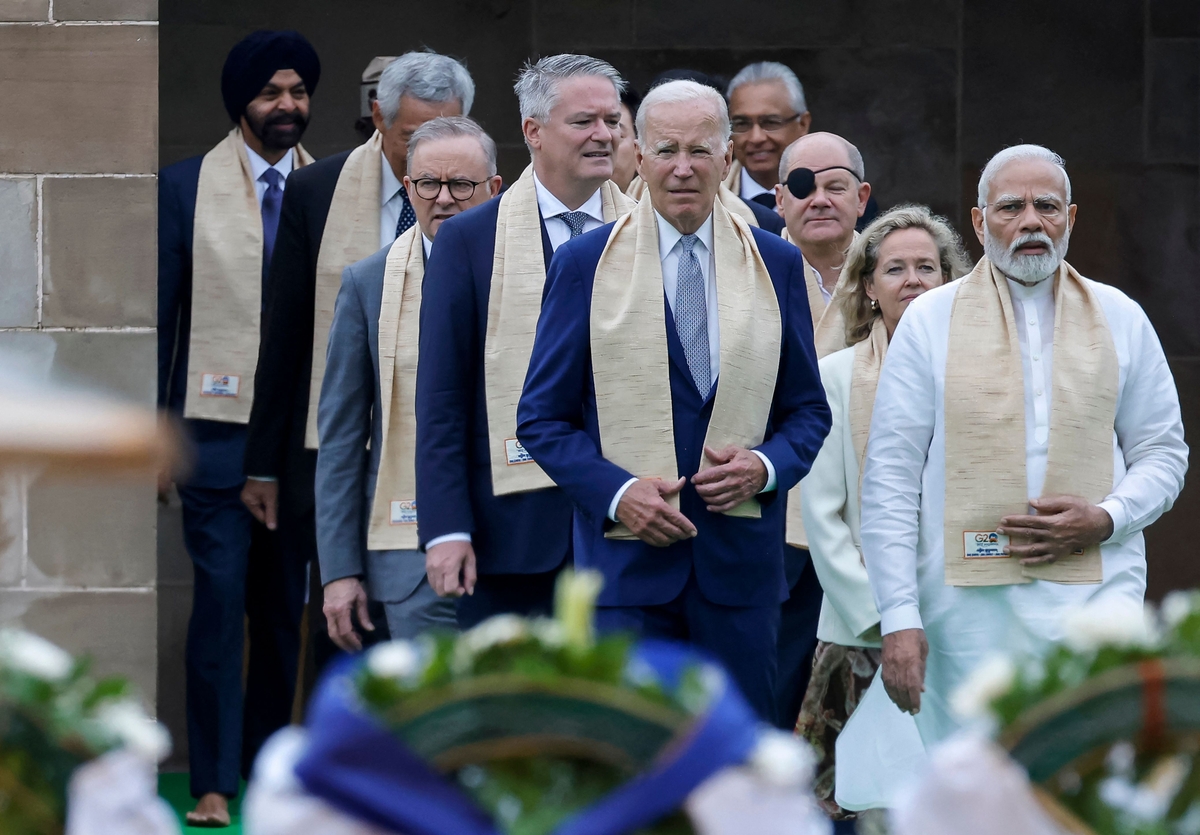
[(452, 167)]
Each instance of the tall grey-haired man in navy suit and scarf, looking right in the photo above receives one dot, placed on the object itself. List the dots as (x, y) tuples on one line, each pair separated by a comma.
[(495, 530)]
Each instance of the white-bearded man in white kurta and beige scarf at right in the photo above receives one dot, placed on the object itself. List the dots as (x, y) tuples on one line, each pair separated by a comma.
[(973, 548)]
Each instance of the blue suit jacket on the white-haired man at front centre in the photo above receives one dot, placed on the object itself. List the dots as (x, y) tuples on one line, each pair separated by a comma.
[(737, 562)]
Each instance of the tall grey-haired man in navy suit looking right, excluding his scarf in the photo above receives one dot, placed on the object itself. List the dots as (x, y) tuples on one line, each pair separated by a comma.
[(502, 554)]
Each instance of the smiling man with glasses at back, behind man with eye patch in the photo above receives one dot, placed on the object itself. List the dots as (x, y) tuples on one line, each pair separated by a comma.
[(767, 115)]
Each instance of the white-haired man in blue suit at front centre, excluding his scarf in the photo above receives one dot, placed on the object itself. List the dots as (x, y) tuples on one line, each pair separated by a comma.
[(692, 574)]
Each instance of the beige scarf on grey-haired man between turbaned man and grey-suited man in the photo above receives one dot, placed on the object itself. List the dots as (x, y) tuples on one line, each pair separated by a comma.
[(352, 233)]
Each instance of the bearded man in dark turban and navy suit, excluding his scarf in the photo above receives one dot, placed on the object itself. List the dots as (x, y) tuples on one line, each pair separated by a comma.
[(241, 567)]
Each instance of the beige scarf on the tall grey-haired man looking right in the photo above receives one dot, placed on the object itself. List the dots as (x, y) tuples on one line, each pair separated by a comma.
[(519, 277)]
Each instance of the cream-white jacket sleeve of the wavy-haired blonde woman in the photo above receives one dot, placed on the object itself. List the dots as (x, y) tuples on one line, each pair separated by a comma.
[(825, 495)]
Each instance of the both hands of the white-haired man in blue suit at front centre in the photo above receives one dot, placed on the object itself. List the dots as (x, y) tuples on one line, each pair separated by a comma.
[(737, 476)]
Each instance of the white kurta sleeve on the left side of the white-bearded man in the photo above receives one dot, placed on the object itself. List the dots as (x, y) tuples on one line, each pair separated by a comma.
[(902, 430)]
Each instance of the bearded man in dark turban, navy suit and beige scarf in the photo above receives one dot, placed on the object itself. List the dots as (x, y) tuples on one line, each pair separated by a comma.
[(218, 221)]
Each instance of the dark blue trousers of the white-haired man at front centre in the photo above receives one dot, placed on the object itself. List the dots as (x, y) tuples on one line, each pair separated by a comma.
[(741, 638)]
